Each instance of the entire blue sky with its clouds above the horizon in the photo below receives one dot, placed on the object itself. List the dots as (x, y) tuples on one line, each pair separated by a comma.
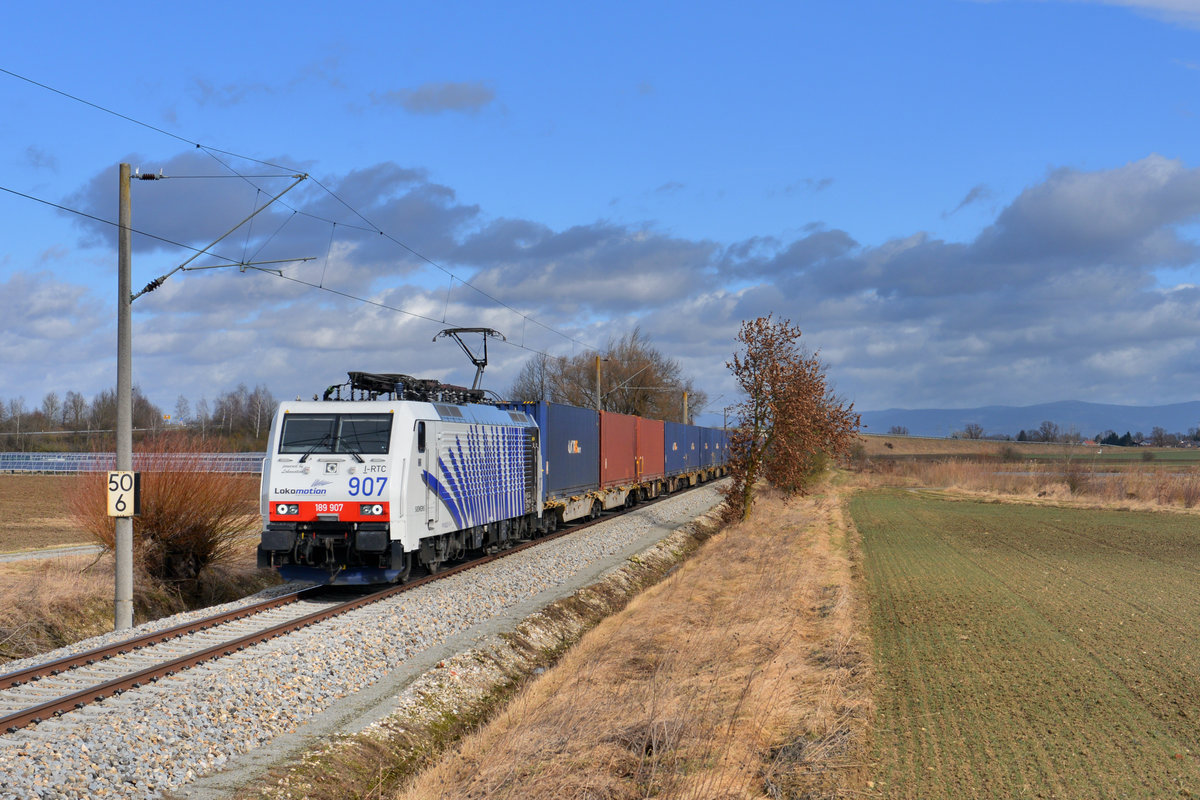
[(959, 203)]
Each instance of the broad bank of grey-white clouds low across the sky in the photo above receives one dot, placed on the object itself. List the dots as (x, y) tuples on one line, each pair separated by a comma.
[(1059, 298)]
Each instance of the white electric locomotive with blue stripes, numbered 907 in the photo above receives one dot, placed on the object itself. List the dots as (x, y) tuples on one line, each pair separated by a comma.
[(404, 472)]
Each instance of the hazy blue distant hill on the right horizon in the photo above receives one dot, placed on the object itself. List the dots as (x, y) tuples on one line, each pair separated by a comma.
[(1087, 419)]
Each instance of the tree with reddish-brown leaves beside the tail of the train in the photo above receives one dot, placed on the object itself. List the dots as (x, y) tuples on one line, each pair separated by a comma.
[(790, 424)]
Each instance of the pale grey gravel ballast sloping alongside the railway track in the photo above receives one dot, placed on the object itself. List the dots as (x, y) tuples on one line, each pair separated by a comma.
[(164, 737)]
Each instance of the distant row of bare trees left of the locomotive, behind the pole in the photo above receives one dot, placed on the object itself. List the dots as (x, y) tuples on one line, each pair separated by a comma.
[(236, 422)]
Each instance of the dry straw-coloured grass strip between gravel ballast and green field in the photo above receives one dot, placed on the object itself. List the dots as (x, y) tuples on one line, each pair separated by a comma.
[(742, 676)]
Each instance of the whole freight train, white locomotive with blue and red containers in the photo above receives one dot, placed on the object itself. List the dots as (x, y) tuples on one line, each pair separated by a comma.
[(405, 473)]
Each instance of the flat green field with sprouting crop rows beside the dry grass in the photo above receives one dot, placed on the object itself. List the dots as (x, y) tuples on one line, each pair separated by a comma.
[(1030, 652)]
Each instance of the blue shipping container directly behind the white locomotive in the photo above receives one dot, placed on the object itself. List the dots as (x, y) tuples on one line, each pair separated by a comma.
[(571, 447)]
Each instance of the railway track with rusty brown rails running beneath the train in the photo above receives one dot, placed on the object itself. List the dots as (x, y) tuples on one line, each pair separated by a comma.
[(56, 688)]
